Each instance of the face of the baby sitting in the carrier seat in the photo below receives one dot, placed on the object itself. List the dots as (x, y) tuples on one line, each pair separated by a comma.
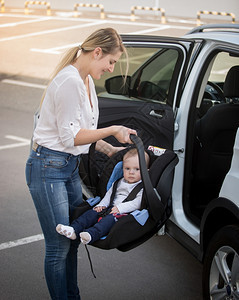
[(131, 169)]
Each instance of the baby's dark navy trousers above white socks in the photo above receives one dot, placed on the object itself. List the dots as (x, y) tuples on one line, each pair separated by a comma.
[(88, 222)]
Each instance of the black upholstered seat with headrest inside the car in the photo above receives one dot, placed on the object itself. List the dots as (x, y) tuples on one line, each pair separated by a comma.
[(215, 133)]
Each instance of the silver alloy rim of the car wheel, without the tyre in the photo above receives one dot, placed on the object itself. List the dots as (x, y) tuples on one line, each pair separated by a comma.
[(224, 275)]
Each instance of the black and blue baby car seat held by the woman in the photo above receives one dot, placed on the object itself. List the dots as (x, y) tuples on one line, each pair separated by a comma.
[(135, 228)]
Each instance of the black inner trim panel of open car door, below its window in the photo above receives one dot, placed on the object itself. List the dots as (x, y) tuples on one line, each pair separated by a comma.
[(153, 121)]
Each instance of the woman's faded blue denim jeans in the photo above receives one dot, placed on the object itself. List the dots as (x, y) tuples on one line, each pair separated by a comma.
[(54, 184)]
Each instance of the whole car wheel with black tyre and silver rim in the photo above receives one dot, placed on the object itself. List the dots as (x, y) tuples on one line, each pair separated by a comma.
[(221, 265)]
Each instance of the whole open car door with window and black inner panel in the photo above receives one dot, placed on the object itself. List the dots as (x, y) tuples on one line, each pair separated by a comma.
[(147, 103)]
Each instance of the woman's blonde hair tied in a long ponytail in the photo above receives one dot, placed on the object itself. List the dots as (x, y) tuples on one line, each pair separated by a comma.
[(106, 38)]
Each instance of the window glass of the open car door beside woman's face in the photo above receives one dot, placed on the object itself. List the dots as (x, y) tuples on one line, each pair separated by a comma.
[(151, 72)]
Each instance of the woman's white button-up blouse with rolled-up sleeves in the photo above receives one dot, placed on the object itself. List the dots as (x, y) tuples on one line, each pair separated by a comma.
[(65, 110)]
